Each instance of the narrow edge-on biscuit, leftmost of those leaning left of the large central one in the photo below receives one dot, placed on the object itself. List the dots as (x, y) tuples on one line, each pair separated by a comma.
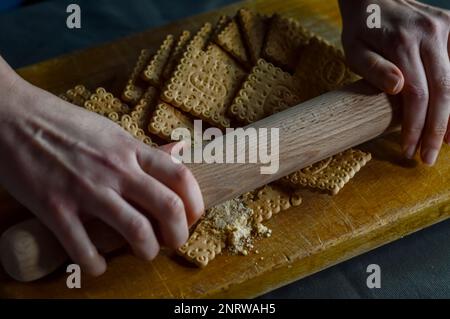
[(135, 87)]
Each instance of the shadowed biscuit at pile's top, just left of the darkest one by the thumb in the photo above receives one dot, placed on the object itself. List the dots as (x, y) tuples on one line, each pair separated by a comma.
[(285, 40)]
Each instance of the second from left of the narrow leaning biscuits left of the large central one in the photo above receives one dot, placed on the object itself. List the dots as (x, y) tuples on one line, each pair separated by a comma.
[(154, 70)]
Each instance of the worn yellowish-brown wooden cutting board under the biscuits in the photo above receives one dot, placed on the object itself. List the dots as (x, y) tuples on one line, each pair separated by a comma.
[(387, 200)]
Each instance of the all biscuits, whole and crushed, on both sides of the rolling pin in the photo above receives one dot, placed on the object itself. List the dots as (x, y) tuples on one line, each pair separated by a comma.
[(240, 70)]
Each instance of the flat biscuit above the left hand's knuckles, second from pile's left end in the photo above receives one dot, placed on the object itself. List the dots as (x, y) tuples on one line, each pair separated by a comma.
[(103, 103)]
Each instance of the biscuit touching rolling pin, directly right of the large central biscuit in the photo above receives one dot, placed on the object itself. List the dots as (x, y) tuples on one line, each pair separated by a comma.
[(266, 91)]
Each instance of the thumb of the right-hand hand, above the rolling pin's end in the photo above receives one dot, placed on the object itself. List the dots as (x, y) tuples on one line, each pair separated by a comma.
[(375, 69)]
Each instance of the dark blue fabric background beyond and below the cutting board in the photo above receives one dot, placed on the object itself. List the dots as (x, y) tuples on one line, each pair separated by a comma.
[(416, 266)]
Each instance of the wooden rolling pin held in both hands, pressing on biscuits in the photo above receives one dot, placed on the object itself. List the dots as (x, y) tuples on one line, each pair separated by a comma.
[(308, 133)]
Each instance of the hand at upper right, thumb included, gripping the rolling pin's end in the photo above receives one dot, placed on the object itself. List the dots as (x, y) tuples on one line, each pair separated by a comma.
[(409, 54)]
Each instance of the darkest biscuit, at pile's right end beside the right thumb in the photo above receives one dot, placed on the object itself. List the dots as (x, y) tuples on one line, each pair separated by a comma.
[(323, 67)]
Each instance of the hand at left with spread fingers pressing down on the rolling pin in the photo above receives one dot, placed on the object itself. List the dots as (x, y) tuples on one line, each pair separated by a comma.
[(68, 165)]
